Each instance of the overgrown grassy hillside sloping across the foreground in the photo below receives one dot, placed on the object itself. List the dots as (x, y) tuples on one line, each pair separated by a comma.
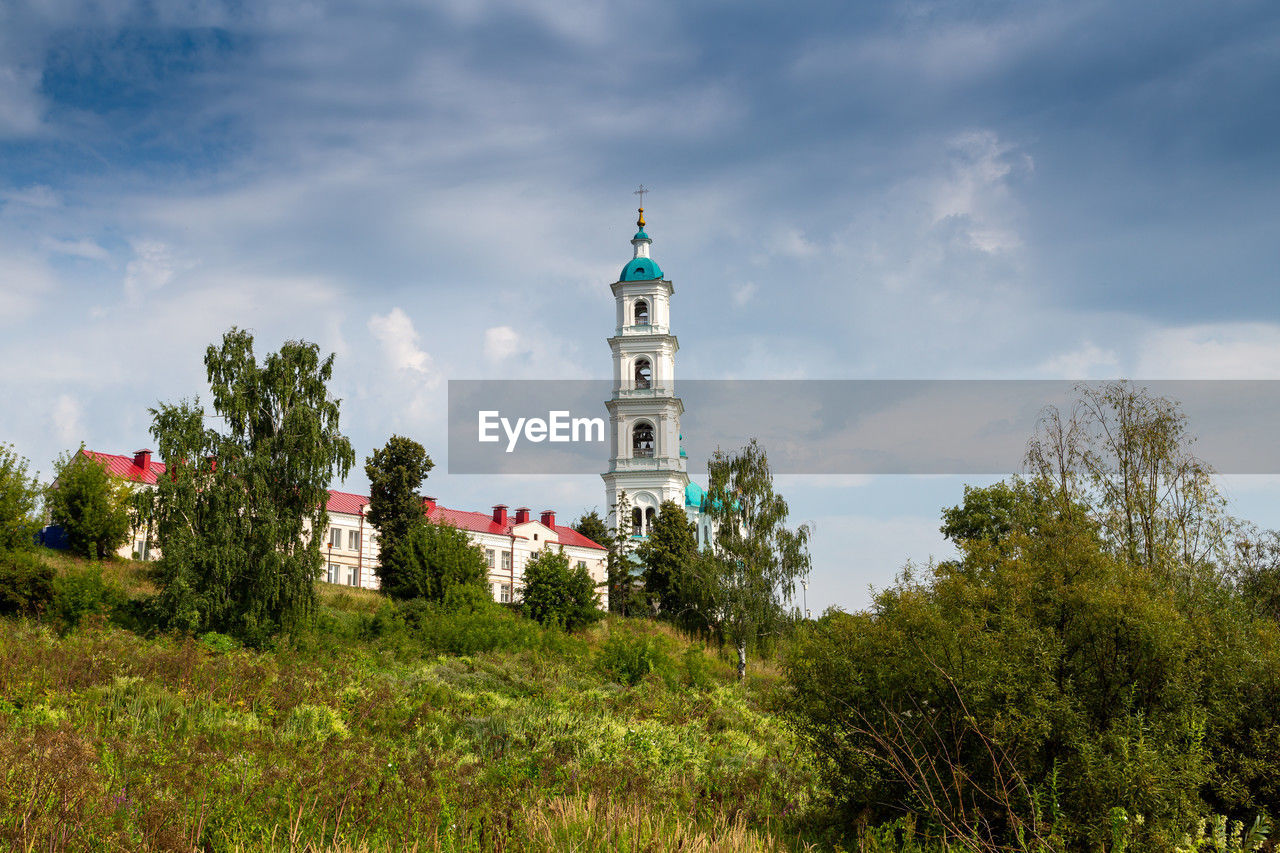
[(364, 736)]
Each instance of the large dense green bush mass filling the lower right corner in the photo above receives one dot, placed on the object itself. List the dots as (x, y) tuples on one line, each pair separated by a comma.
[(1053, 676)]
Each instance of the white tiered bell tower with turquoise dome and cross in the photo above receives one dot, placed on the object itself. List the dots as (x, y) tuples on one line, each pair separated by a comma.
[(647, 460)]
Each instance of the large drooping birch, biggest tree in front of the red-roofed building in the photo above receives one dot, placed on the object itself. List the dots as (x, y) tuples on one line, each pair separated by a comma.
[(240, 513)]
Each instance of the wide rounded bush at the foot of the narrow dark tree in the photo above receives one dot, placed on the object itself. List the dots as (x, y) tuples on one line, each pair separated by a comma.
[(431, 562)]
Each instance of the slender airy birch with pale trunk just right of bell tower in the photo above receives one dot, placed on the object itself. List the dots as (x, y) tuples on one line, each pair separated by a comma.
[(757, 560)]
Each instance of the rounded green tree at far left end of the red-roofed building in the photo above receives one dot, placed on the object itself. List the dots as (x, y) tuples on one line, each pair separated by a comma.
[(90, 505)]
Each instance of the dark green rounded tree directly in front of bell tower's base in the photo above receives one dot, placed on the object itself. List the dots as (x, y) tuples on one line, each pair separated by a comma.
[(670, 554)]
